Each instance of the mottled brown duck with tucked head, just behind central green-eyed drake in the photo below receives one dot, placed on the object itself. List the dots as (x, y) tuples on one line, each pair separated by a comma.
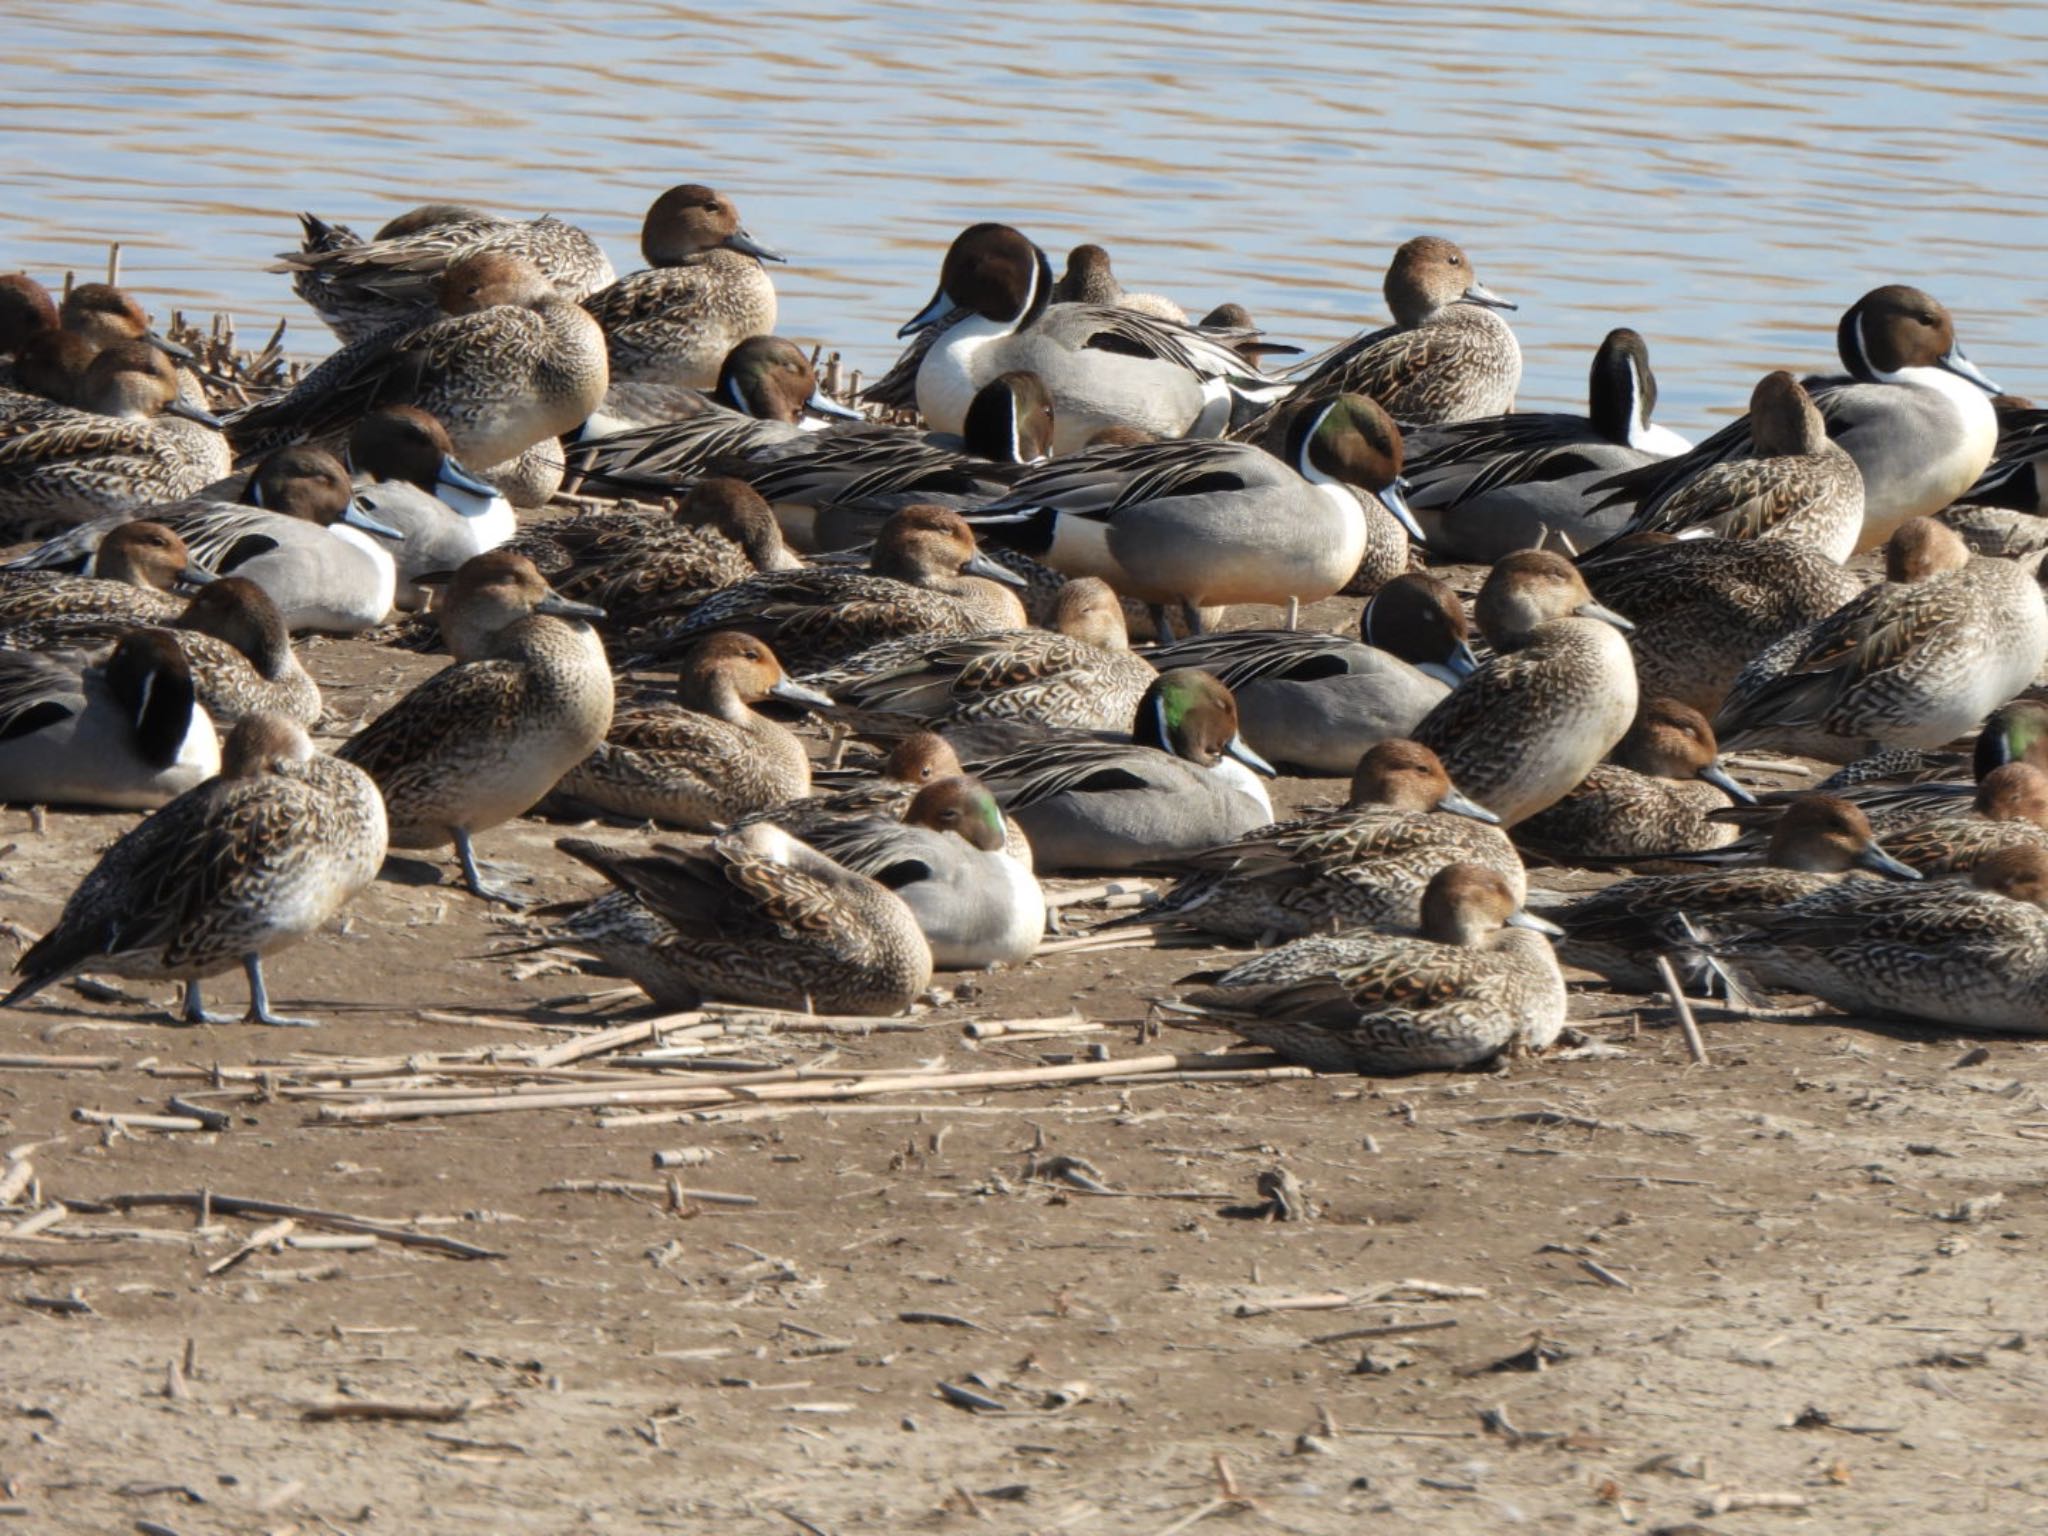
[(1082, 675)]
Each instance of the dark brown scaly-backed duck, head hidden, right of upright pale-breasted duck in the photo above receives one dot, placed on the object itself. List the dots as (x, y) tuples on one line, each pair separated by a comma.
[(1705, 607)]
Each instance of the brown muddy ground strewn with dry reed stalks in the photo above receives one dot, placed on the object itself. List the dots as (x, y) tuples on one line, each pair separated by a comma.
[(1797, 1289)]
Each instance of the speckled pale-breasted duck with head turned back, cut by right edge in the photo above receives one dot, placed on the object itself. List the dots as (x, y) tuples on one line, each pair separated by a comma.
[(1910, 665)]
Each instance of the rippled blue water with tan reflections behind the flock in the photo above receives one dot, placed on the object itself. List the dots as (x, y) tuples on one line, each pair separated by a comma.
[(1723, 177)]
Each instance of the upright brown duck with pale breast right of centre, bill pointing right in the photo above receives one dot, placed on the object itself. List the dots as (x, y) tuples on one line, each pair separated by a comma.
[(1555, 697)]
